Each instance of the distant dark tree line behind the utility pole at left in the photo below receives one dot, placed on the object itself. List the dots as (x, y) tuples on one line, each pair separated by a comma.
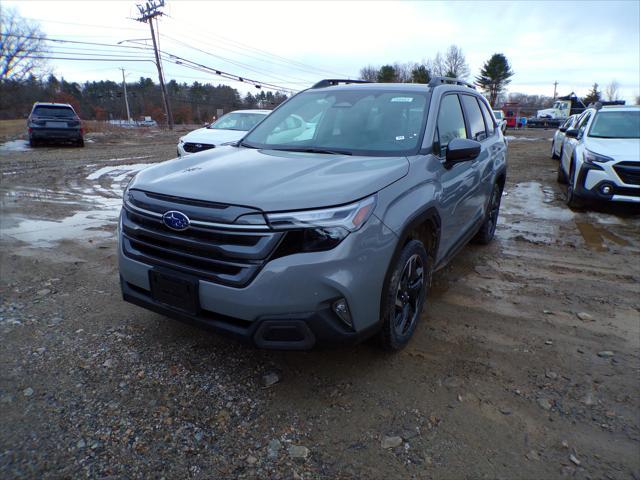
[(104, 100)]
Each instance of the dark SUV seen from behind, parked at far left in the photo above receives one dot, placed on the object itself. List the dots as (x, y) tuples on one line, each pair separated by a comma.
[(54, 122)]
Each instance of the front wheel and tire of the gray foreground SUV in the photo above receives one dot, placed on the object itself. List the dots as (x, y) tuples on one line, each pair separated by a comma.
[(404, 296)]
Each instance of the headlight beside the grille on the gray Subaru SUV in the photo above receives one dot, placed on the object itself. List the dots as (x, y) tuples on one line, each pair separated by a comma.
[(317, 230)]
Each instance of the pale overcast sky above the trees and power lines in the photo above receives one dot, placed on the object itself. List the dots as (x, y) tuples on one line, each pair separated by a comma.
[(293, 44)]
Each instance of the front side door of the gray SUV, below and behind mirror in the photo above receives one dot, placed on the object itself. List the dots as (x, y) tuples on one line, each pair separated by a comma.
[(458, 180)]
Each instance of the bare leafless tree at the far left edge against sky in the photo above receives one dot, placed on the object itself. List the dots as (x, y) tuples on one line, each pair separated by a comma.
[(21, 46)]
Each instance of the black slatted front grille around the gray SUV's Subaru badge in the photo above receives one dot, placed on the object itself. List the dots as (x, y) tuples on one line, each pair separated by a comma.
[(210, 252)]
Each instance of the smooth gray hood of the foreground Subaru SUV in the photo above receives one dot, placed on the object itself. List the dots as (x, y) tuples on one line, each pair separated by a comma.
[(271, 180)]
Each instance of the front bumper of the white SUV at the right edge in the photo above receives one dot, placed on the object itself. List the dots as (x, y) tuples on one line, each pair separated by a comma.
[(593, 178)]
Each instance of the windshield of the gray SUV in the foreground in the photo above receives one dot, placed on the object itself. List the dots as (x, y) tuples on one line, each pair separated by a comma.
[(364, 121)]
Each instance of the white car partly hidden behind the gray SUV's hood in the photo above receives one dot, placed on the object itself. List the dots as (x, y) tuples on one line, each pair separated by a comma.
[(228, 128)]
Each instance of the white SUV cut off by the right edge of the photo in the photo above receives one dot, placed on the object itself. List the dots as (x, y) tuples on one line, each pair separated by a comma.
[(601, 156)]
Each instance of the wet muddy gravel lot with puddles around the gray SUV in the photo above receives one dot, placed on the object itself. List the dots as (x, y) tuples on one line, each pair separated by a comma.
[(525, 363)]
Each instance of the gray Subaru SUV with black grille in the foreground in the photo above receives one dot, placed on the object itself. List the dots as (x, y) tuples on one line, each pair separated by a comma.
[(325, 223)]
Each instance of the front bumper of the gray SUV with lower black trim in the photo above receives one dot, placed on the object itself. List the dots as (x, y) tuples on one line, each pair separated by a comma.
[(288, 304)]
